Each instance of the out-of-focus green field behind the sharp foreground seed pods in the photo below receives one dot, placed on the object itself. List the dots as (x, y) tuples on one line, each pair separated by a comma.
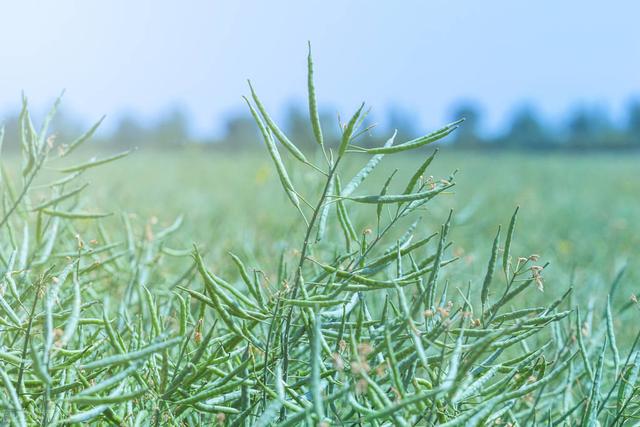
[(578, 212)]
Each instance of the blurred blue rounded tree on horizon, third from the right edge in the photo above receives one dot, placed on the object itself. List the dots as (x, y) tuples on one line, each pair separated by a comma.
[(527, 131)]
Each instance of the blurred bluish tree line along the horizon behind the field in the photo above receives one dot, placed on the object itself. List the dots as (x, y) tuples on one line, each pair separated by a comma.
[(583, 129)]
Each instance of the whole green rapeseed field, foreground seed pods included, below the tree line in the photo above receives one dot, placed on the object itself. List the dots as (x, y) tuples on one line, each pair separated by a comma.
[(350, 287)]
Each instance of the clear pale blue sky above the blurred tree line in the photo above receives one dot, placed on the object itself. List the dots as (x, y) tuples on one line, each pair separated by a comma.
[(146, 57)]
